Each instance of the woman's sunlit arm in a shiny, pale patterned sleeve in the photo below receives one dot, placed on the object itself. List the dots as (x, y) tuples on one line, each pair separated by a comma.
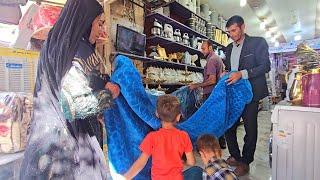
[(79, 99)]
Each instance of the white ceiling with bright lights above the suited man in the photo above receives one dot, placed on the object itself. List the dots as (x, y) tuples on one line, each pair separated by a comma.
[(280, 12)]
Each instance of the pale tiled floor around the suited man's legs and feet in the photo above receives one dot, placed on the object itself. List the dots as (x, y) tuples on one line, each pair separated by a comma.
[(259, 168)]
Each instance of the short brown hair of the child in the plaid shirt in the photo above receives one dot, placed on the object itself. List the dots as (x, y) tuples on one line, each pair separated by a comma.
[(208, 143)]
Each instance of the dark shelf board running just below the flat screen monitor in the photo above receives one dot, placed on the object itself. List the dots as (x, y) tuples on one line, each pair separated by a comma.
[(154, 62)]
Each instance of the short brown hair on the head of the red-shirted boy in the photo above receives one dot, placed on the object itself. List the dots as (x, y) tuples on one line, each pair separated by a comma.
[(168, 108)]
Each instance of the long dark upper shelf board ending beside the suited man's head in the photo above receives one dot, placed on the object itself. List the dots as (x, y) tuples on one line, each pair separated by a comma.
[(177, 25)]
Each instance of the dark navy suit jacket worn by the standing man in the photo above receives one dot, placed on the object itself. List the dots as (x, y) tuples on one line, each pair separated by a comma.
[(255, 59)]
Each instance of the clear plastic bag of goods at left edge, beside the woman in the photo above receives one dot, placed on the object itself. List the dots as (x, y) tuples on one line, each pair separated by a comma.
[(15, 117)]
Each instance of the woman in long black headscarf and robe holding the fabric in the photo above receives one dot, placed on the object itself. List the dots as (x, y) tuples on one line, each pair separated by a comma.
[(69, 93)]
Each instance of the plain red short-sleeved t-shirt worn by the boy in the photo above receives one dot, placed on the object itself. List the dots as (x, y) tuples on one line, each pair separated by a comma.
[(166, 146)]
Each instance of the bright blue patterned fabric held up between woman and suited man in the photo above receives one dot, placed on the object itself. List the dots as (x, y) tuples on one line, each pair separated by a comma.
[(133, 115)]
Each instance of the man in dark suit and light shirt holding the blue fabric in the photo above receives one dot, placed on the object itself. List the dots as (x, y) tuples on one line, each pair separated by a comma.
[(248, 57)]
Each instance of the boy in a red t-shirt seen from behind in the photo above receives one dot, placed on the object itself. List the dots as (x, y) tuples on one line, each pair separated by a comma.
[(166, 145)]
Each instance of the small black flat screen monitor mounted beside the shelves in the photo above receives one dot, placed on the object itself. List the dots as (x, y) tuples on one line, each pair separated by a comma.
[(130, 41)]
